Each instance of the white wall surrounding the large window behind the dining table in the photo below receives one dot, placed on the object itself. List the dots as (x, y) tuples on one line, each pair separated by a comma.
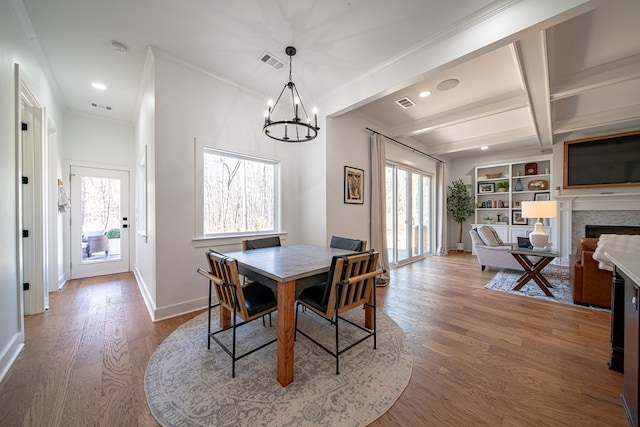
[(190, 104)]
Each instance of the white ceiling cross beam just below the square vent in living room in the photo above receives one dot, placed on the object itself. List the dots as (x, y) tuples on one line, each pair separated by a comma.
[(486, 108)]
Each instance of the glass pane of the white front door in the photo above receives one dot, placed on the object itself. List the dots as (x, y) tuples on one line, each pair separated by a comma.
[(100, 216)]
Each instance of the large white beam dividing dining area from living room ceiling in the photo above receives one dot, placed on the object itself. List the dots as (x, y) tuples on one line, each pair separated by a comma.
[(491, 31)]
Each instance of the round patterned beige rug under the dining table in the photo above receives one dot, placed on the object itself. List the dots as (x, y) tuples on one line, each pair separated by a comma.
[(188, 385)]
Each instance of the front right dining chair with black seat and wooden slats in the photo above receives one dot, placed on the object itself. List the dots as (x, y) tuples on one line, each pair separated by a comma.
[(350, 284)]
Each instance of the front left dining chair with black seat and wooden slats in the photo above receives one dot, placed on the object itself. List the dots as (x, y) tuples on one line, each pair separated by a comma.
[(249, 302)]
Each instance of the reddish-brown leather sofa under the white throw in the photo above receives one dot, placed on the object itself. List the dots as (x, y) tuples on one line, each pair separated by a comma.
[(591, 285)]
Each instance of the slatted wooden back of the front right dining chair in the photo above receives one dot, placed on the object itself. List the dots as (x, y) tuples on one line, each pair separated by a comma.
[(352, 281)]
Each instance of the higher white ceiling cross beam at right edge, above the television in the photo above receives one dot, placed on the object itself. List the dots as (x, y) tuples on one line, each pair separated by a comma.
[(597, 77)]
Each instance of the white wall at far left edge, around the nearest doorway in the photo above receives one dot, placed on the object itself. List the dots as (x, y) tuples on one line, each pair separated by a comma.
[(15, 48)]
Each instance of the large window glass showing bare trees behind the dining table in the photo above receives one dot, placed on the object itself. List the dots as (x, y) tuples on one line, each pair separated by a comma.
[(239, 194)]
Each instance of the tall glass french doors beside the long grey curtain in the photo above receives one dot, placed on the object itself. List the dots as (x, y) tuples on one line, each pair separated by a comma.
[(408, 216)]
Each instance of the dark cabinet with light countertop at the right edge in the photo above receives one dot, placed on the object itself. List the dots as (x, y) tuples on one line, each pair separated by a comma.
[(626, 323)]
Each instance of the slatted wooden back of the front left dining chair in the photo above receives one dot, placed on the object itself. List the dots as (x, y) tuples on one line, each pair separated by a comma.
[(225, 270)]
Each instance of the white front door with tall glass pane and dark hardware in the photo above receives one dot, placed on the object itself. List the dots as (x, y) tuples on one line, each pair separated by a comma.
[(99, 221)]
